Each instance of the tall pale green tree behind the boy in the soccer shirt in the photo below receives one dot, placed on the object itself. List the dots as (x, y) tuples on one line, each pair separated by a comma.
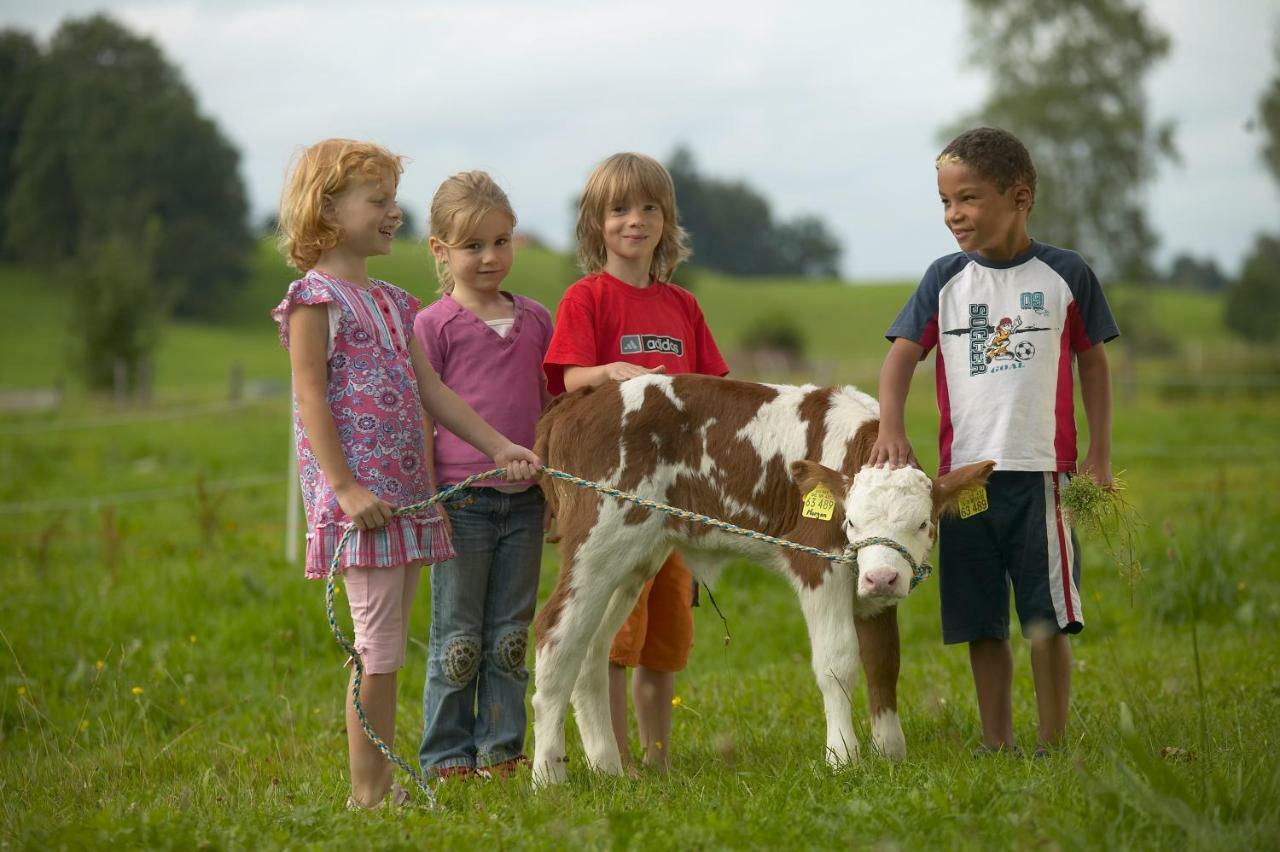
[(1068, 80)]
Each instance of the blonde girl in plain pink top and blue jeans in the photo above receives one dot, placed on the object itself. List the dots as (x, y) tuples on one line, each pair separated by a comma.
[(488, 346)]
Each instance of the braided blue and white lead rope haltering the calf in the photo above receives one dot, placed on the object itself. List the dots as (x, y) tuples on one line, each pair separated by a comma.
[(920, 571)]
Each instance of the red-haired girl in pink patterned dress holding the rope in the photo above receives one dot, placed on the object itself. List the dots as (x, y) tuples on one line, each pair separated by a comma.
[(360, 384)]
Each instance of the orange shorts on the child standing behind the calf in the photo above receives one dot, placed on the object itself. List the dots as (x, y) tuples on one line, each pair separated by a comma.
[(660, 633)]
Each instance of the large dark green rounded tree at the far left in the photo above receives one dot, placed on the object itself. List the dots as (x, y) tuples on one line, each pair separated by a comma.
[(112, 145)]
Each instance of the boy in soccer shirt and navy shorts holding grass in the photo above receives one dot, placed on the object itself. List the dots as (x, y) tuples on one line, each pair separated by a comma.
[(1008, 317)]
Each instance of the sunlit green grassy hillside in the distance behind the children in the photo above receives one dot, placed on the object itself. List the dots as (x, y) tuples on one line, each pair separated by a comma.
[(843, 326)]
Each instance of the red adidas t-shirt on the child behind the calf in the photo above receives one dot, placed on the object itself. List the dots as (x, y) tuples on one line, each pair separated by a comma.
[(602, 320)]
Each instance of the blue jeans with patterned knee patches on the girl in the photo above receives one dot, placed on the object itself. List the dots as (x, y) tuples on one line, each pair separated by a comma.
[(482, 607)]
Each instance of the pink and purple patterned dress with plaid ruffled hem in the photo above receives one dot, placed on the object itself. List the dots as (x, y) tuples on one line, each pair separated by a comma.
[(373, 397)]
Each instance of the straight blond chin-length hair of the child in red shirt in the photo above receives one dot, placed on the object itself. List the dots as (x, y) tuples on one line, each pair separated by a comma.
[(630, 177)]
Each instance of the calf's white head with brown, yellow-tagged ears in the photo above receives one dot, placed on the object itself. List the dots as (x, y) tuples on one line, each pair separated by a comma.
[(899, 505)]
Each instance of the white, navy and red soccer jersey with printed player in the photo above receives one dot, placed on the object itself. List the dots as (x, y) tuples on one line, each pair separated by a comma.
[(1007, 333)]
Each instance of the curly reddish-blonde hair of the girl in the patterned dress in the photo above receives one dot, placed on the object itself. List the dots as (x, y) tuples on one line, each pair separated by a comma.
[(322, 172)]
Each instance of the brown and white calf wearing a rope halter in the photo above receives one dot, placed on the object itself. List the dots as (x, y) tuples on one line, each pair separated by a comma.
[(744, 454)]
